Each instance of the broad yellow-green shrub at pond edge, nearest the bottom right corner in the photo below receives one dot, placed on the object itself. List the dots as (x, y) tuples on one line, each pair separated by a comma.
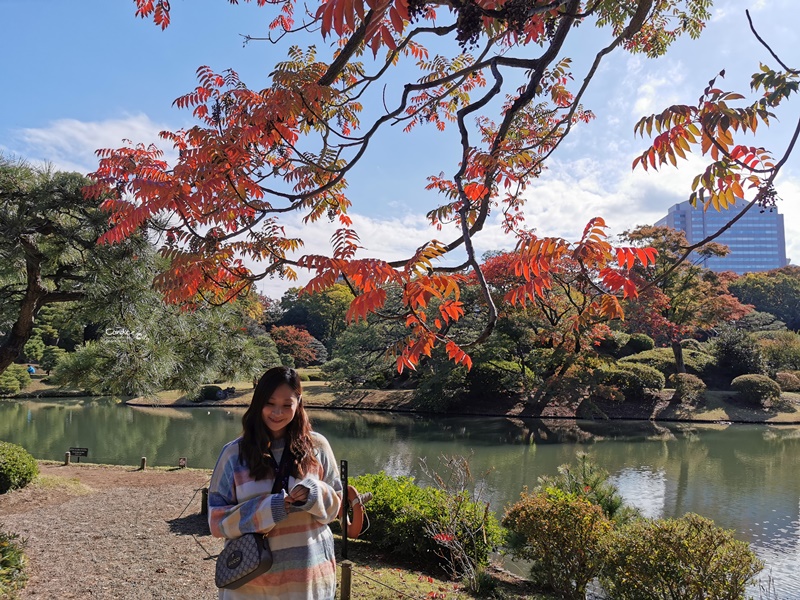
[(688, 558)]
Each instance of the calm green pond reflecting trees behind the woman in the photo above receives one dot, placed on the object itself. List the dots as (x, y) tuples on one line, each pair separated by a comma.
[(744, 477)]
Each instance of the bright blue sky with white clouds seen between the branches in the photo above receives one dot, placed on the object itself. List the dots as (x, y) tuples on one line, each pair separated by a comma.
[(83, 75)]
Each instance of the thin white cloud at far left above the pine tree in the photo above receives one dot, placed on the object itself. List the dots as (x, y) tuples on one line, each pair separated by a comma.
[(70, 144)]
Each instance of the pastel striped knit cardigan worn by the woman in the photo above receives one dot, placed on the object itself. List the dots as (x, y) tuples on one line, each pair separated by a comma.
[(304, 566)]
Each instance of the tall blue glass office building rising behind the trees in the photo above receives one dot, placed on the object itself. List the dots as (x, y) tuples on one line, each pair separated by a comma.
[(756, 241)]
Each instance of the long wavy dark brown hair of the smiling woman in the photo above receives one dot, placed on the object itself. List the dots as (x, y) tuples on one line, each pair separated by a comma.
[(256, 440)]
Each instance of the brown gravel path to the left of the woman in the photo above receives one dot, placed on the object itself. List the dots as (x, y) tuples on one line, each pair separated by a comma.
[(113, 532)]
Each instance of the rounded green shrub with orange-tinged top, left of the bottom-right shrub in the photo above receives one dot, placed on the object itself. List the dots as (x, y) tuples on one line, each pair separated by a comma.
[(562, 535)]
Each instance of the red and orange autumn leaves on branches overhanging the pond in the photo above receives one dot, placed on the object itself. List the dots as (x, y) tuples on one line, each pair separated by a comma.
[(259, 154)]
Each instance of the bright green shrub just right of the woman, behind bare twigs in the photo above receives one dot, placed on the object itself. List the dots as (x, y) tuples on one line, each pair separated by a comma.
[(400, 511)]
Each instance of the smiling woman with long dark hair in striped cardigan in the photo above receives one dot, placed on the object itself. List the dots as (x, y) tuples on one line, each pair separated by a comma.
[(240, 498)]
